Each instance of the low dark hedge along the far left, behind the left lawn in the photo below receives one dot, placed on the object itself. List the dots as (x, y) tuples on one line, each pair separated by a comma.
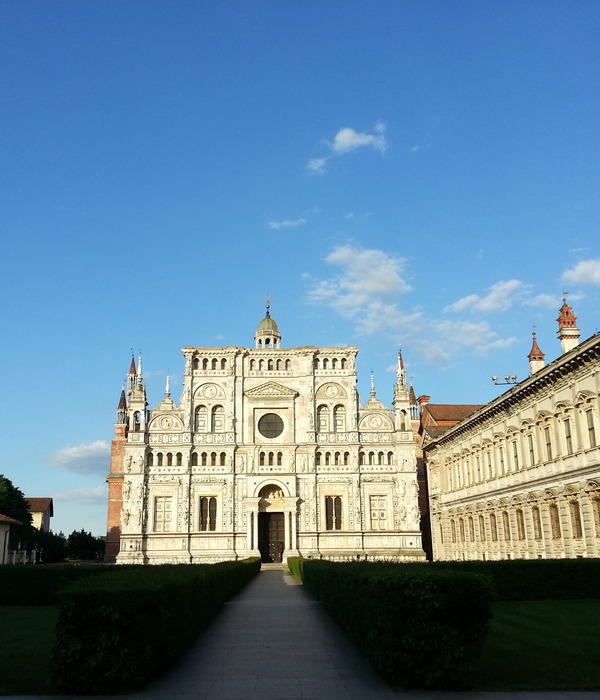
[(40, 584)]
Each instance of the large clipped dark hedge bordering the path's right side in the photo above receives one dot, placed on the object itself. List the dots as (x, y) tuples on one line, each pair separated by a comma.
[(419, 627)]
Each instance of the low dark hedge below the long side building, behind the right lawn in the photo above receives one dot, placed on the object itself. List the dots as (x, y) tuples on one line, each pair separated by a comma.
[(535, 579)]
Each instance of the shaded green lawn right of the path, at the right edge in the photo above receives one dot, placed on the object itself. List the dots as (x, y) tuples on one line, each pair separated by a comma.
[(542, 645)]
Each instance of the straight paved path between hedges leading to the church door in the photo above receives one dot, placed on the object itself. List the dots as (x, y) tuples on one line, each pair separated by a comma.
[(272, 642)]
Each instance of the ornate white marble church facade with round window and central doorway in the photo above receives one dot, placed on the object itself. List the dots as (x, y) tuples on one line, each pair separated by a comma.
[(268, 453)]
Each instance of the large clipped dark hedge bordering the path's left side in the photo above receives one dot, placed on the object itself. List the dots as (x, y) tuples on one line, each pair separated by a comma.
[(117, 632)]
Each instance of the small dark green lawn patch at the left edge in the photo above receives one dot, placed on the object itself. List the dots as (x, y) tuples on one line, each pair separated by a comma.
[(27, 634)]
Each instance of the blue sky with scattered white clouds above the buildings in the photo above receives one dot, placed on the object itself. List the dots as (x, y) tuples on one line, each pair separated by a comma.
[(416, 174)]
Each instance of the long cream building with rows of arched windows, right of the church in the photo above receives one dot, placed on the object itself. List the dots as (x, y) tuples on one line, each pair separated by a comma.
[(519, 478)]
